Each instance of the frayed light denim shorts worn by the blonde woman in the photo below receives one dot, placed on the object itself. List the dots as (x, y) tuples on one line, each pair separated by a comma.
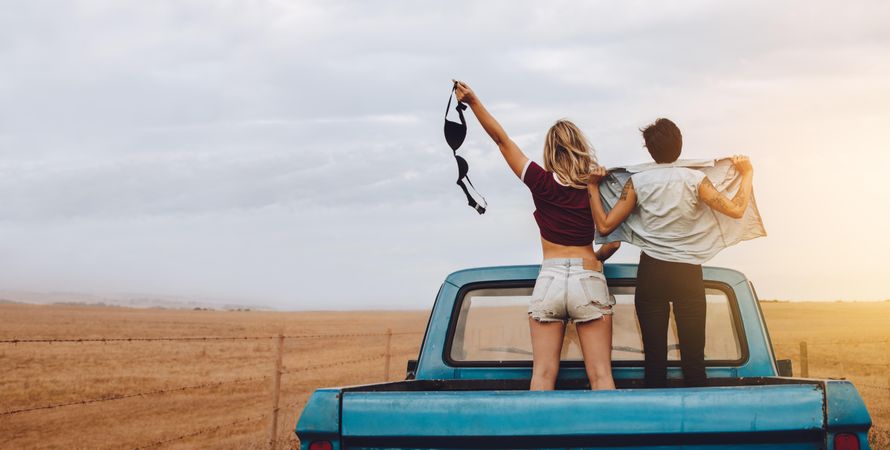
[(565, 290)]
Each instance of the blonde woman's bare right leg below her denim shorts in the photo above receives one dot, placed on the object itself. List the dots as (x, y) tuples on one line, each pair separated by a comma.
[(596, 346)]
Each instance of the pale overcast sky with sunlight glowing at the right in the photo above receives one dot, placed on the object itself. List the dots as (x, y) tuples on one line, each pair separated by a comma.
[(290, 153)]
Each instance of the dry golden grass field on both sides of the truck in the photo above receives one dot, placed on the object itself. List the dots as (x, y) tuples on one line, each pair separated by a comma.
[(844, 340)]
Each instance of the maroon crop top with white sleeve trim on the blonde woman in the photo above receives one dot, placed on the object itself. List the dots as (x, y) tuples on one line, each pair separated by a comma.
[(562, 212)]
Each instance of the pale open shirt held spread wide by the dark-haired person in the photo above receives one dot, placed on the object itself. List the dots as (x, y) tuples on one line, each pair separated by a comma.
[(669, 222)]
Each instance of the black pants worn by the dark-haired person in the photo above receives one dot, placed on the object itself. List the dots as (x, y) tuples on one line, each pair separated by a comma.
[(659, 283)]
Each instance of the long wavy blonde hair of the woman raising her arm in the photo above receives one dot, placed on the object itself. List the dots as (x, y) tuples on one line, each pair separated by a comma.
[(568, 154)]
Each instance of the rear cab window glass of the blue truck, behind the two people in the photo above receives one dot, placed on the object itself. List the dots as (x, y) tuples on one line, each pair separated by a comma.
[(491, 326)]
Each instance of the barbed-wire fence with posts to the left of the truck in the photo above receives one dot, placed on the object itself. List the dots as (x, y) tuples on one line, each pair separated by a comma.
[(276, 405)]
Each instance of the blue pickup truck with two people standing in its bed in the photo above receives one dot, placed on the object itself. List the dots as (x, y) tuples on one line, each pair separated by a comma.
[(468, 386)]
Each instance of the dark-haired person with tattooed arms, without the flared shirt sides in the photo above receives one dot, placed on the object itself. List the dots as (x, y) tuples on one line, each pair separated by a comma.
[(669, 200)]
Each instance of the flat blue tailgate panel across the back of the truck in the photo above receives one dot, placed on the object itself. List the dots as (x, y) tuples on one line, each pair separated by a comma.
[(791, 415)]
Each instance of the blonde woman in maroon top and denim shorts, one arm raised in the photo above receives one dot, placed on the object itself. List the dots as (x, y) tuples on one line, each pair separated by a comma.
[(571, 285)]
